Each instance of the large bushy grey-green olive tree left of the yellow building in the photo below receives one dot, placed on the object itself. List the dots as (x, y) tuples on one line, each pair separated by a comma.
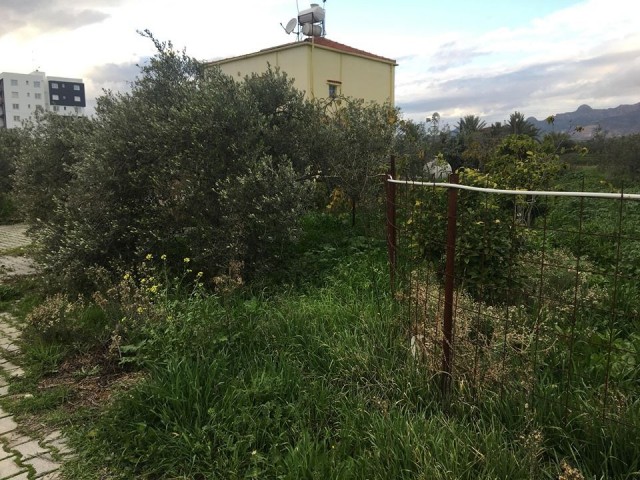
[(189, 163)]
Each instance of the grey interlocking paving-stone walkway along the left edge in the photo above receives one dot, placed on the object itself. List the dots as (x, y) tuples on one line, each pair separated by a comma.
[(22, 457)]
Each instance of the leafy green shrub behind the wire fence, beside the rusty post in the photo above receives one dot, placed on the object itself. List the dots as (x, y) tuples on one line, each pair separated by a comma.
[(488, 241)]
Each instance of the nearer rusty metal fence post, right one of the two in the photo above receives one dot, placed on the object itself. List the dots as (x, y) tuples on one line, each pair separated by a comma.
[(447, 321)]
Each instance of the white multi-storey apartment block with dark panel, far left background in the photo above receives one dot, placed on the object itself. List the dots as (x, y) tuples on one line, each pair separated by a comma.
[(21, 95)]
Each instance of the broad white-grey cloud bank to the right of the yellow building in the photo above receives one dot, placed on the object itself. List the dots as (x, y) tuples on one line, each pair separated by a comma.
[(580, 54)]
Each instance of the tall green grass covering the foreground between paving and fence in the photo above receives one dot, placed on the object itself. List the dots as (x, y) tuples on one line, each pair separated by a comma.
[(308, 375)]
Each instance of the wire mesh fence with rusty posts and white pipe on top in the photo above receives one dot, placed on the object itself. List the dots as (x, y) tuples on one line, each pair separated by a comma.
[(544, 311)]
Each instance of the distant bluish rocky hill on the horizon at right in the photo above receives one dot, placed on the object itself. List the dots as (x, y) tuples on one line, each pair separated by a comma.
[(621, 120)]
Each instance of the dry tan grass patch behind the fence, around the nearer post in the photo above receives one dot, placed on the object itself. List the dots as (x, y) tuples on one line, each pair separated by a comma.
[(492, 346)]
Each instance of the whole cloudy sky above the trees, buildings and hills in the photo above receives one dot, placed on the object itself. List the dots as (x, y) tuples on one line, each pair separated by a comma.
[(487, 58)]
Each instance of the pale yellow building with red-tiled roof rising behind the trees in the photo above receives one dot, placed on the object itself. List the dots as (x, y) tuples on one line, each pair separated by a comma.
[(322, 68)]
